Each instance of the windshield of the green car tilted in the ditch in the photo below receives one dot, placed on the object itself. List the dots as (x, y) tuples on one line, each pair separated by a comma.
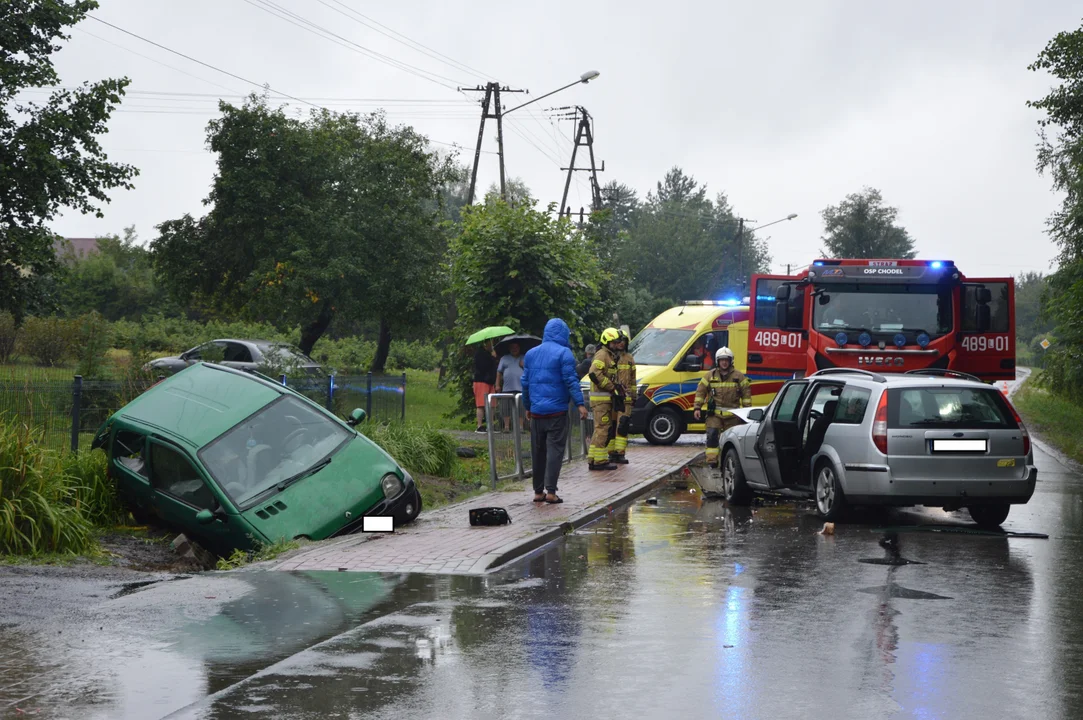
[(286, 438)]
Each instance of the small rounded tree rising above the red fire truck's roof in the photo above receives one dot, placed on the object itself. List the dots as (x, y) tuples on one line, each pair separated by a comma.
[(863, 227)]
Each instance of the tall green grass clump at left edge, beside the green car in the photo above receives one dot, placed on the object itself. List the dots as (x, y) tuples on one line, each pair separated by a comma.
[(40, 507)]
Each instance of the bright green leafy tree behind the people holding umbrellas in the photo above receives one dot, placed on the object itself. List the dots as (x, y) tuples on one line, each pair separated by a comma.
[(513, 265)]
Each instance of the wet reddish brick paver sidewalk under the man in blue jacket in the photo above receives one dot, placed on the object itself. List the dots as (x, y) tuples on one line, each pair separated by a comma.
[(443, 541)]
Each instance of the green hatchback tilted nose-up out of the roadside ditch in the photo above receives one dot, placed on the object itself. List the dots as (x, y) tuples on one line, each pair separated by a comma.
[(237, 461)]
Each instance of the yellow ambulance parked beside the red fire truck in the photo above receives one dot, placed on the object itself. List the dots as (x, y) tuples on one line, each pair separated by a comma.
[(677, 349)]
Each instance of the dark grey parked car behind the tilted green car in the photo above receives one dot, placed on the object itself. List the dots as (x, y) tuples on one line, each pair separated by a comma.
[(264, 356)]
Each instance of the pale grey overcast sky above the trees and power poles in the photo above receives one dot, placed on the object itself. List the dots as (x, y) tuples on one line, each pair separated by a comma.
[(786, 107)]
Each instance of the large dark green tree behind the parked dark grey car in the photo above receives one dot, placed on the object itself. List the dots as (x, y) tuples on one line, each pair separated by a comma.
[(311, 219)]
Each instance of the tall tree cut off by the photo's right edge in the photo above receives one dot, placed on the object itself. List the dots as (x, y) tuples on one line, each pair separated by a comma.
[(1061, 159)]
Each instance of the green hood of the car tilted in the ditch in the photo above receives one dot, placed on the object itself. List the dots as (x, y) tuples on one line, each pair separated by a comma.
[(317, 506)]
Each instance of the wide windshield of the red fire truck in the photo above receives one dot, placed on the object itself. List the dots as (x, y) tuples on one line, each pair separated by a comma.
[(886, 309)]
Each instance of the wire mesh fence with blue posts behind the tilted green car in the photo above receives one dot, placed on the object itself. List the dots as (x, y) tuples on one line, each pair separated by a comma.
[(69, 412)]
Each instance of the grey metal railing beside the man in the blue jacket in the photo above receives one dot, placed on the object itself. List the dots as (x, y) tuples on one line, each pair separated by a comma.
[(511, 451)]
